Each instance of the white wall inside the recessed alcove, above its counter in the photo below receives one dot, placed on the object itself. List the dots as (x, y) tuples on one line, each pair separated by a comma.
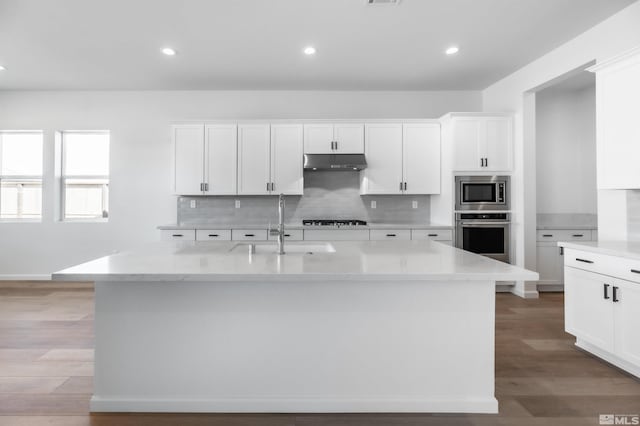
[(566, 150)]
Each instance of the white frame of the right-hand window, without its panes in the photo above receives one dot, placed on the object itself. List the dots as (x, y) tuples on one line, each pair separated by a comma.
[(64, 177)]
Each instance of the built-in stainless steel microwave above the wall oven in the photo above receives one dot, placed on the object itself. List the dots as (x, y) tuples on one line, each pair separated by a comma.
[(482, 193)]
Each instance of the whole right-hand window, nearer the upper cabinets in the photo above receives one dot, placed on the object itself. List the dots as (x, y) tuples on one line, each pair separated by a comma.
[(85, 175)]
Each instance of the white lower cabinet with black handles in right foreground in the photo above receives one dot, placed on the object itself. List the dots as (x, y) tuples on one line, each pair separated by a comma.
[(603, 310)]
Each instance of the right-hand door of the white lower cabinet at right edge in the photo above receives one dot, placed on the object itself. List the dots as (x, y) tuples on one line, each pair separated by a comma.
[(627, 321)]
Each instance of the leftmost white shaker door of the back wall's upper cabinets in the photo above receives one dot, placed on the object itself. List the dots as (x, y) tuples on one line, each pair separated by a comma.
[(188, 144)]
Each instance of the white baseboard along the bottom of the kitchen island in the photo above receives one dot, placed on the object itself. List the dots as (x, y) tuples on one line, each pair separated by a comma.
[(295, 405)]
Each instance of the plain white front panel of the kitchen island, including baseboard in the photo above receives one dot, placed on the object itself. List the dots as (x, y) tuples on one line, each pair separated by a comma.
[(339, 346)]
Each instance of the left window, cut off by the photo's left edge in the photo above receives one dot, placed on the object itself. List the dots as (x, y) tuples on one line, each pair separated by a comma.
[(21, 175)]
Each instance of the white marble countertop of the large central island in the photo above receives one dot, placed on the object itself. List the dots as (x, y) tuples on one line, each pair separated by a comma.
[(352, 260)]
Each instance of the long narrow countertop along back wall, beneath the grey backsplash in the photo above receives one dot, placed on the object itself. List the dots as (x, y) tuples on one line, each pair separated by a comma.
[(299, 226)]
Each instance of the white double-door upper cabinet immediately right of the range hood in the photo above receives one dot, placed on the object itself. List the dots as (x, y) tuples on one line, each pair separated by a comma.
[(401, 159)]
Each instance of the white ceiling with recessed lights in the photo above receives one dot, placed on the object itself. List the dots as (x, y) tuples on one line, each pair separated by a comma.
[(257, 44)]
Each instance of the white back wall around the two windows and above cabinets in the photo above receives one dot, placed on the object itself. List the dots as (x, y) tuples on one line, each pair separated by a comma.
[(141, 154)]
